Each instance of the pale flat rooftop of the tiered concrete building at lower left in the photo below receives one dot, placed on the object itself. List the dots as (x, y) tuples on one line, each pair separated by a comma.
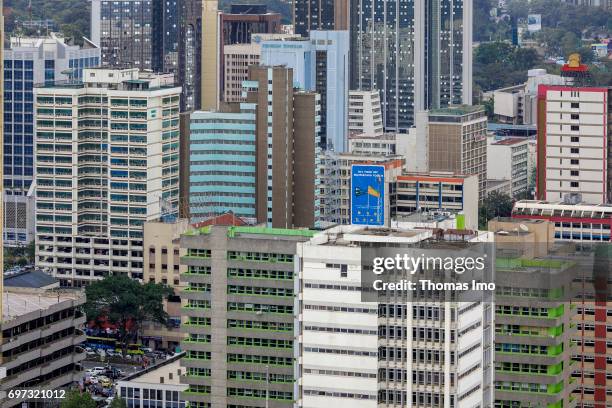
[(17, 303)]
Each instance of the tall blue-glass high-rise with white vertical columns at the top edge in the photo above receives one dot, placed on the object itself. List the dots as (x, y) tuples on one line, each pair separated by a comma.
[(418, 54)]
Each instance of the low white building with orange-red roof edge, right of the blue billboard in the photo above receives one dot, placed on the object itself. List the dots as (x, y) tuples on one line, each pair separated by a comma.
[(437, 193)]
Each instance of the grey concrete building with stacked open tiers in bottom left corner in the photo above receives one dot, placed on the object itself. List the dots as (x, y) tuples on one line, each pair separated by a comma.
[(41, 341)]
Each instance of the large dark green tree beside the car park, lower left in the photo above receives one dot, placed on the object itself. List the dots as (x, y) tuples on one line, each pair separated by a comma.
[(126, 304)]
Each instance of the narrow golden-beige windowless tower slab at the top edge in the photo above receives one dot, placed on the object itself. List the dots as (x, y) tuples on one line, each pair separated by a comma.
[(210, 57)]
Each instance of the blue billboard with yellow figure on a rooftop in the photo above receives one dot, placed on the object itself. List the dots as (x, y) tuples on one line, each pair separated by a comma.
[(367, 195)]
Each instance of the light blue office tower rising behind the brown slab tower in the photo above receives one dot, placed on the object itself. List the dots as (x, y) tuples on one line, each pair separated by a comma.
[(319, 64)]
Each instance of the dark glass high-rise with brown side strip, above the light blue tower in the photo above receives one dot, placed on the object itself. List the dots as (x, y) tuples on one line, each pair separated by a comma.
[(320, 15)]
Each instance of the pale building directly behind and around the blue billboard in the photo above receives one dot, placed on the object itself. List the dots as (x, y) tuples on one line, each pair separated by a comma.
[(336, 183)]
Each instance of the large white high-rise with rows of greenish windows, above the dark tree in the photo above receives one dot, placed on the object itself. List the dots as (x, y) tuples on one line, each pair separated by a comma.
[(107, 152)]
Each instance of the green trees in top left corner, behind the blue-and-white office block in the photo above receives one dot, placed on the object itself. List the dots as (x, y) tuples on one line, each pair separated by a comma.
[(72, 17)]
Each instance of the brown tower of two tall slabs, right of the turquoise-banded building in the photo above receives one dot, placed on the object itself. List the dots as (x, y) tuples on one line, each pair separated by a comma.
[(288, 161)]
